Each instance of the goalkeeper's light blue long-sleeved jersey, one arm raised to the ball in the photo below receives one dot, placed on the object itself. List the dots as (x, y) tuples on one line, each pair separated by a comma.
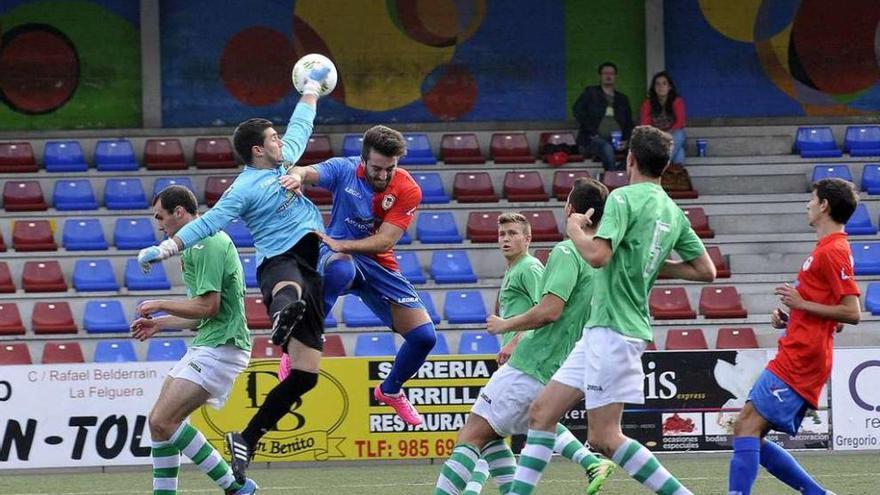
[(277, 219)]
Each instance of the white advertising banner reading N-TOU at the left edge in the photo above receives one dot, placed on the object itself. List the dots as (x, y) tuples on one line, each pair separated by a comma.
[(77, 414)]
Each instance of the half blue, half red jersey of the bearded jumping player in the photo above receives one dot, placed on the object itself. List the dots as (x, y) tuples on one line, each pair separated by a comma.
[(358, 211)]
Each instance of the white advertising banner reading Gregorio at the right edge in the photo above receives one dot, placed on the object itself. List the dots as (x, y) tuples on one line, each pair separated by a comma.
[(855, 399)]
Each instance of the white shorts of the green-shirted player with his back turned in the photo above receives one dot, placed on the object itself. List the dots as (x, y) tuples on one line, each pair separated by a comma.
[(607, 367)]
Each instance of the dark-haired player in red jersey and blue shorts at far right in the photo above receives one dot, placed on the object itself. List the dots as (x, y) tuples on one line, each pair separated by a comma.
[(824, 295)]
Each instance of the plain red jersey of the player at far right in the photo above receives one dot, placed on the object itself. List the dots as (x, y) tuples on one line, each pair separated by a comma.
[(803, 360)]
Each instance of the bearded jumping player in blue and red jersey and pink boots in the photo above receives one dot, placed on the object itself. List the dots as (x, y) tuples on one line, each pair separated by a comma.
[(374, 202)]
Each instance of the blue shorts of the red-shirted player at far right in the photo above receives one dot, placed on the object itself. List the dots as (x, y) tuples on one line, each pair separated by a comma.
[(777, 403)]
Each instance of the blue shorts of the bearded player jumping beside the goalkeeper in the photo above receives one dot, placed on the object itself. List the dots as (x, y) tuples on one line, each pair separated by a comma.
[(377, 286)]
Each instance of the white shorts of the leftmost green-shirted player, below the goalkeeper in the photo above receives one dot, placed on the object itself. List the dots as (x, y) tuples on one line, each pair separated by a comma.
[(212, 368)]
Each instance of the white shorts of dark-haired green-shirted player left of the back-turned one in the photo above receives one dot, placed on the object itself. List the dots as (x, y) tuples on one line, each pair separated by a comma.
[(504, 401)]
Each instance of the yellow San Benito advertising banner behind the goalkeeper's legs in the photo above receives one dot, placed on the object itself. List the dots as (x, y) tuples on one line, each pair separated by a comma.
[(340, 419)]
